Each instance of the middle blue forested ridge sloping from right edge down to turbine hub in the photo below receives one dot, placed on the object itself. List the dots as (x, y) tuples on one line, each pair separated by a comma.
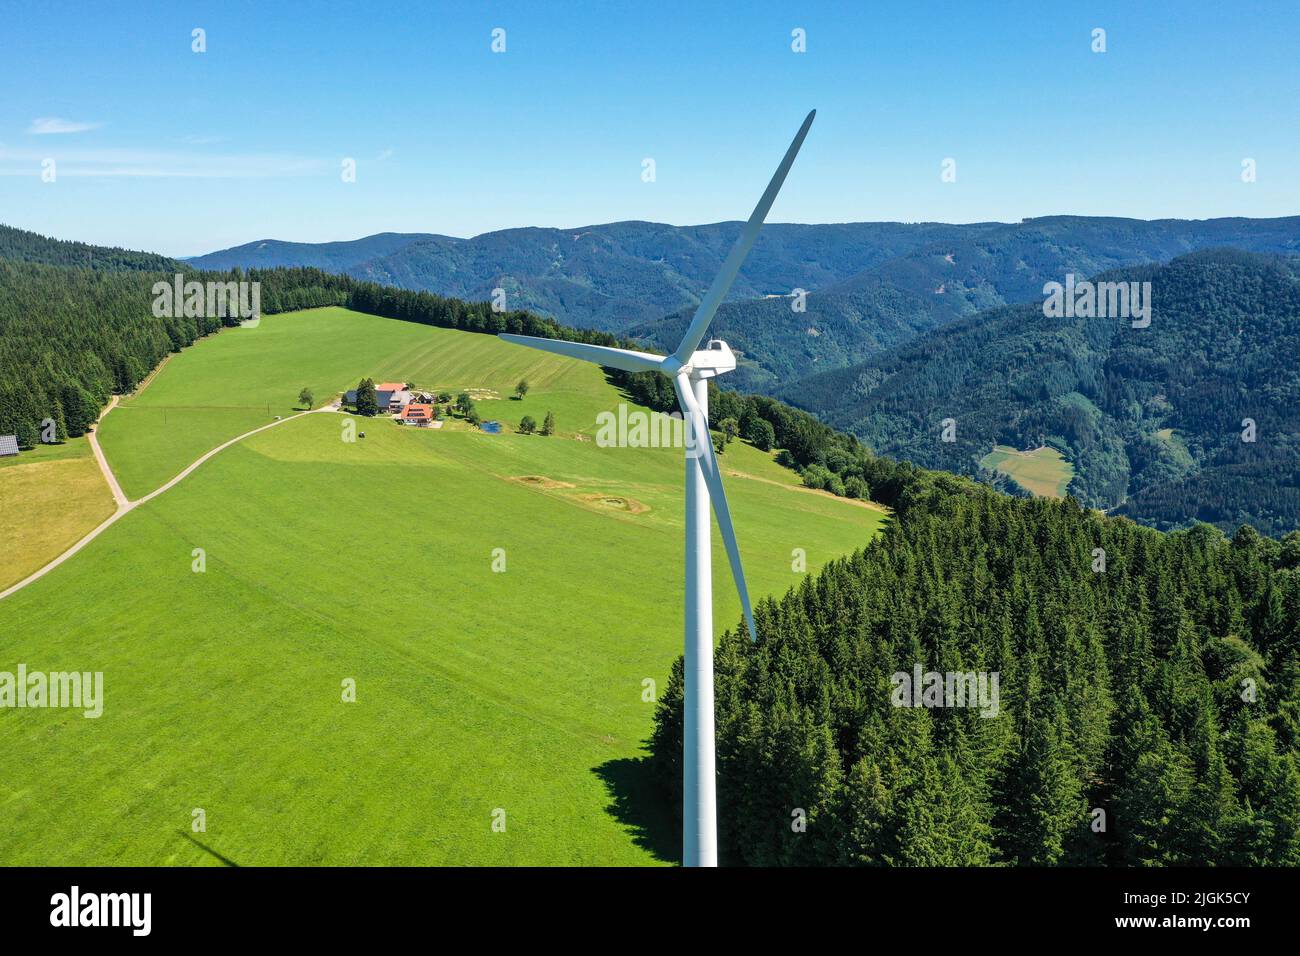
[(970, 270)]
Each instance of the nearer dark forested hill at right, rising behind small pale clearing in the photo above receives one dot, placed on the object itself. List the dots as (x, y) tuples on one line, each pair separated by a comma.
[(1152, 418)]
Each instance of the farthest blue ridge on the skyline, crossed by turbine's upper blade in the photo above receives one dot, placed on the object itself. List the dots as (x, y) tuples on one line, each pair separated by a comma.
[(603, 276)]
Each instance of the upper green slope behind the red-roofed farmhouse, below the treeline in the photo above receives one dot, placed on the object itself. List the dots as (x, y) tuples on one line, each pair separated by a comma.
[(245, 378)]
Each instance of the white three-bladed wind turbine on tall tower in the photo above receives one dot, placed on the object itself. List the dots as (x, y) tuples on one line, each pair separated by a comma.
[(691, 369)]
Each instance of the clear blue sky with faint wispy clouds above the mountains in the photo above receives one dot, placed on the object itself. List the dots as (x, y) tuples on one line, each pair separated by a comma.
[(188, 153)]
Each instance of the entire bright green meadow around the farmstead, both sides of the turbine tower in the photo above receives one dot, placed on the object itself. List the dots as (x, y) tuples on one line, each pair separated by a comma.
[(500, 603)]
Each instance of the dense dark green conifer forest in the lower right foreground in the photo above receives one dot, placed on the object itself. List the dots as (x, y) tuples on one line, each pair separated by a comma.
[(1163, 693)]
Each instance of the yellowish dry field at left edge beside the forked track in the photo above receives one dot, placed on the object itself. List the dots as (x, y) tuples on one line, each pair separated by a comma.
[(50, 499)]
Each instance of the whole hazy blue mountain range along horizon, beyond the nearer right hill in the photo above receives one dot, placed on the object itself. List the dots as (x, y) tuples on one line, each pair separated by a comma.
[(873, 284)]
